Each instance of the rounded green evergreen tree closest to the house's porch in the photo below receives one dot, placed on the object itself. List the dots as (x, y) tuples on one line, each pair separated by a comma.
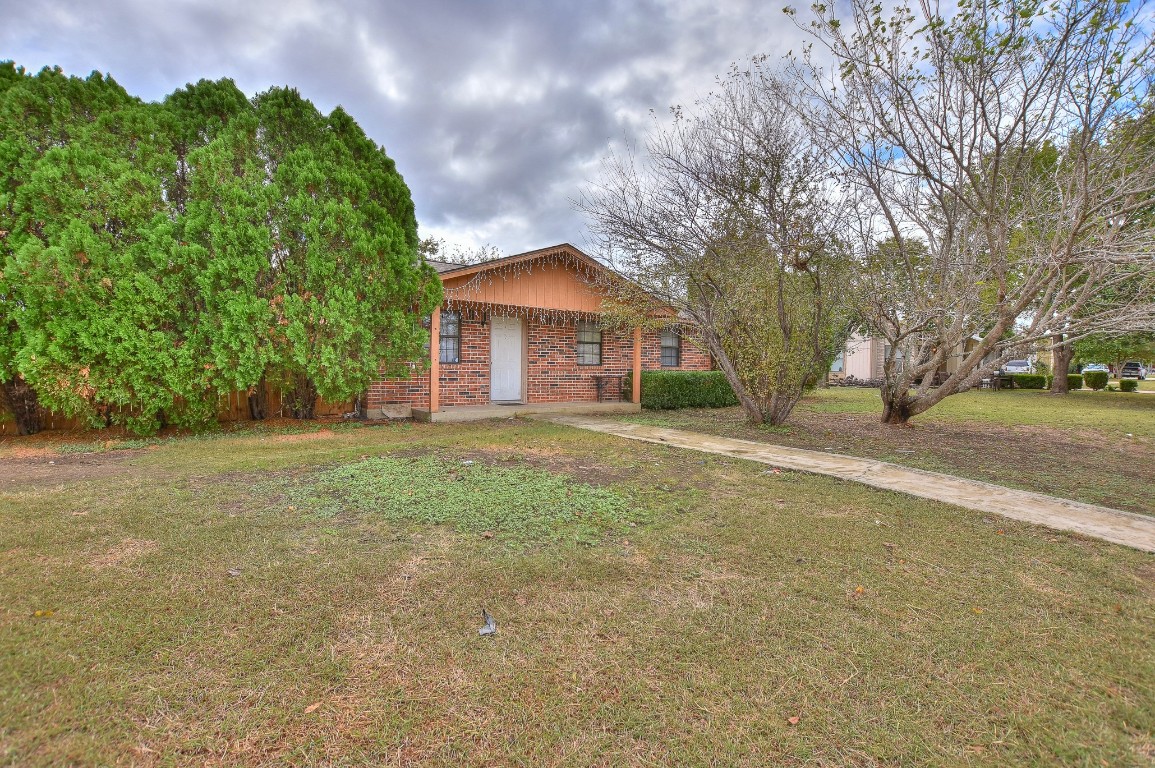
[(312, 277)]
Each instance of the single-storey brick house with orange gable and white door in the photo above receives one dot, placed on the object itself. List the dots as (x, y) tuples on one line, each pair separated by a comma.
[(526, 332)]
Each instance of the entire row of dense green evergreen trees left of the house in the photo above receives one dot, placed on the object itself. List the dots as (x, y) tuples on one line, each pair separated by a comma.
[(159, 256)]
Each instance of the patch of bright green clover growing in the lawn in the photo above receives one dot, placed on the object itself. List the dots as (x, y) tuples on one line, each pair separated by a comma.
[(520, 506)]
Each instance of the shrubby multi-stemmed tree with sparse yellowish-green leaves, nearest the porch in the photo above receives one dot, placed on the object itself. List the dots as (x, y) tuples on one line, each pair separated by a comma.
[(729, 219)]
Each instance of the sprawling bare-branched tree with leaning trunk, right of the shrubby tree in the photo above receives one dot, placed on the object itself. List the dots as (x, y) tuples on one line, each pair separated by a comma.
[(998, 203)]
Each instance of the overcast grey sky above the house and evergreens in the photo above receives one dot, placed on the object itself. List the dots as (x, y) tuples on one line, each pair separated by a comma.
[(495, 111)]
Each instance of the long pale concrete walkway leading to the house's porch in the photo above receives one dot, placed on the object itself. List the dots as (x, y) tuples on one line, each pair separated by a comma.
[(1109, 525)]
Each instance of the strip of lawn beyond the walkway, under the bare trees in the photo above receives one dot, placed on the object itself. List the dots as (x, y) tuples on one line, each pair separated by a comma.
[(1096, 448)]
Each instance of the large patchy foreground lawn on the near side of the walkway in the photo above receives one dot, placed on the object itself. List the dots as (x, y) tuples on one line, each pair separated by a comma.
[(267, 599)]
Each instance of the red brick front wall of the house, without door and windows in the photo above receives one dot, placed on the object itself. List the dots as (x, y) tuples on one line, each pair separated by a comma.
[(553, 371)]
